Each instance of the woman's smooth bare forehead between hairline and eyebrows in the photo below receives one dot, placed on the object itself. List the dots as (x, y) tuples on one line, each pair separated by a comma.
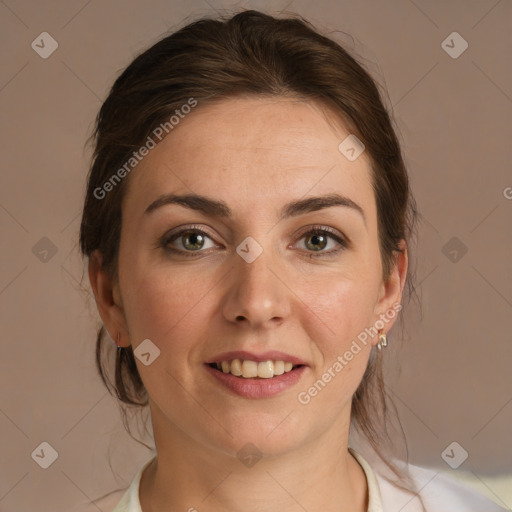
[(252, 152)]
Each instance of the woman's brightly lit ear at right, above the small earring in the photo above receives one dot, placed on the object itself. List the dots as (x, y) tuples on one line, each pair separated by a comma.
[(390, 295)]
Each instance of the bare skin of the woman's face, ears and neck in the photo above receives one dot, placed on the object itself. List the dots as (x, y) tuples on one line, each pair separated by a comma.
[(255, 154)]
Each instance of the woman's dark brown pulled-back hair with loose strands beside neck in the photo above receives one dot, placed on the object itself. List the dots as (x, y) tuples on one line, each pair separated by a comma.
[(246, 54)]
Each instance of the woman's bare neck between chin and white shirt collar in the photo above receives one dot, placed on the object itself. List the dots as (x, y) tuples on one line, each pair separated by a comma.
[(188, 476)]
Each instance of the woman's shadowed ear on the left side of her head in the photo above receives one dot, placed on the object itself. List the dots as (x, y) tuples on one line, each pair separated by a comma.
[(108, 300)]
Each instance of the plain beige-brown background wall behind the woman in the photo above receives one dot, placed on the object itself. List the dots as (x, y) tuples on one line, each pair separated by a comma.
[(452, 381)]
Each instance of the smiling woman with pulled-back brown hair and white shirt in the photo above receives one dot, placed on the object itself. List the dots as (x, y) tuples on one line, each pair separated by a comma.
[(246, 222)]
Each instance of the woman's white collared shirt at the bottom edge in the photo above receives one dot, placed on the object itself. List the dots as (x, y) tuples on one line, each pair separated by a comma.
[(440, 493)]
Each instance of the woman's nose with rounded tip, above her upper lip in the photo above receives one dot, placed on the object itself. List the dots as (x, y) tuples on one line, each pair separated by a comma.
[(256, 293)]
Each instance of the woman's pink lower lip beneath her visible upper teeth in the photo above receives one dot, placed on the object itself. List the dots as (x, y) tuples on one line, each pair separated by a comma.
[(258, 388)]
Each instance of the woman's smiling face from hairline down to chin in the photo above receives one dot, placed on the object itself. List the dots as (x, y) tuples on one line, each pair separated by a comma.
[(254, 279)]
